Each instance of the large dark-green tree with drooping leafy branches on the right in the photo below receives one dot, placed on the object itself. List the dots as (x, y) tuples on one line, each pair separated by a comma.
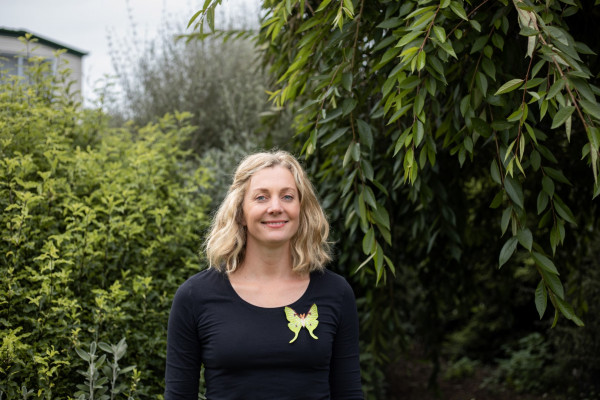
[(440, 128)]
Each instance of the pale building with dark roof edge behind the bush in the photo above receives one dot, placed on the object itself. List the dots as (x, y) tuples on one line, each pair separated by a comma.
[(14, 54)]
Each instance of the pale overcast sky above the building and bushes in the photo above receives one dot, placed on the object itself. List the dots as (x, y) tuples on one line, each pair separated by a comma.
[(86, 24)]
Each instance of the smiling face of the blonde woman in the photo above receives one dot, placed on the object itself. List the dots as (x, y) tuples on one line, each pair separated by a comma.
[(271, 207)]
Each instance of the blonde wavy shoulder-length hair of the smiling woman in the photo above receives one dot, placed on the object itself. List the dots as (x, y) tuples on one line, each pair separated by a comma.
[(226, 243)]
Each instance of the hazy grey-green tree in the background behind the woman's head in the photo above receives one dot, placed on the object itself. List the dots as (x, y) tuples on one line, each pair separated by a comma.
[(219, 82)]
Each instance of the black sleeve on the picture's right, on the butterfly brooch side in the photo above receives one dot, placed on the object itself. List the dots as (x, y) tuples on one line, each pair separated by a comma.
[(344, 376)]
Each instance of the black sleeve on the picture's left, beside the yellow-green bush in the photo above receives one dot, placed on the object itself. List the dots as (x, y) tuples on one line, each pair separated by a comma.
[(183, 348)]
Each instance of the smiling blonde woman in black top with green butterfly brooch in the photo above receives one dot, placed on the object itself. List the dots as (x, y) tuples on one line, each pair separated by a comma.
[(266, 320)]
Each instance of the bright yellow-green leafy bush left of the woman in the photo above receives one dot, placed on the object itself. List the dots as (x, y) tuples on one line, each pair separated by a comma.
[(99, 227)]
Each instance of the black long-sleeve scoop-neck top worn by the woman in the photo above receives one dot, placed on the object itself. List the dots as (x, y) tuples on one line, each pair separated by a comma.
[(245, 349)]
